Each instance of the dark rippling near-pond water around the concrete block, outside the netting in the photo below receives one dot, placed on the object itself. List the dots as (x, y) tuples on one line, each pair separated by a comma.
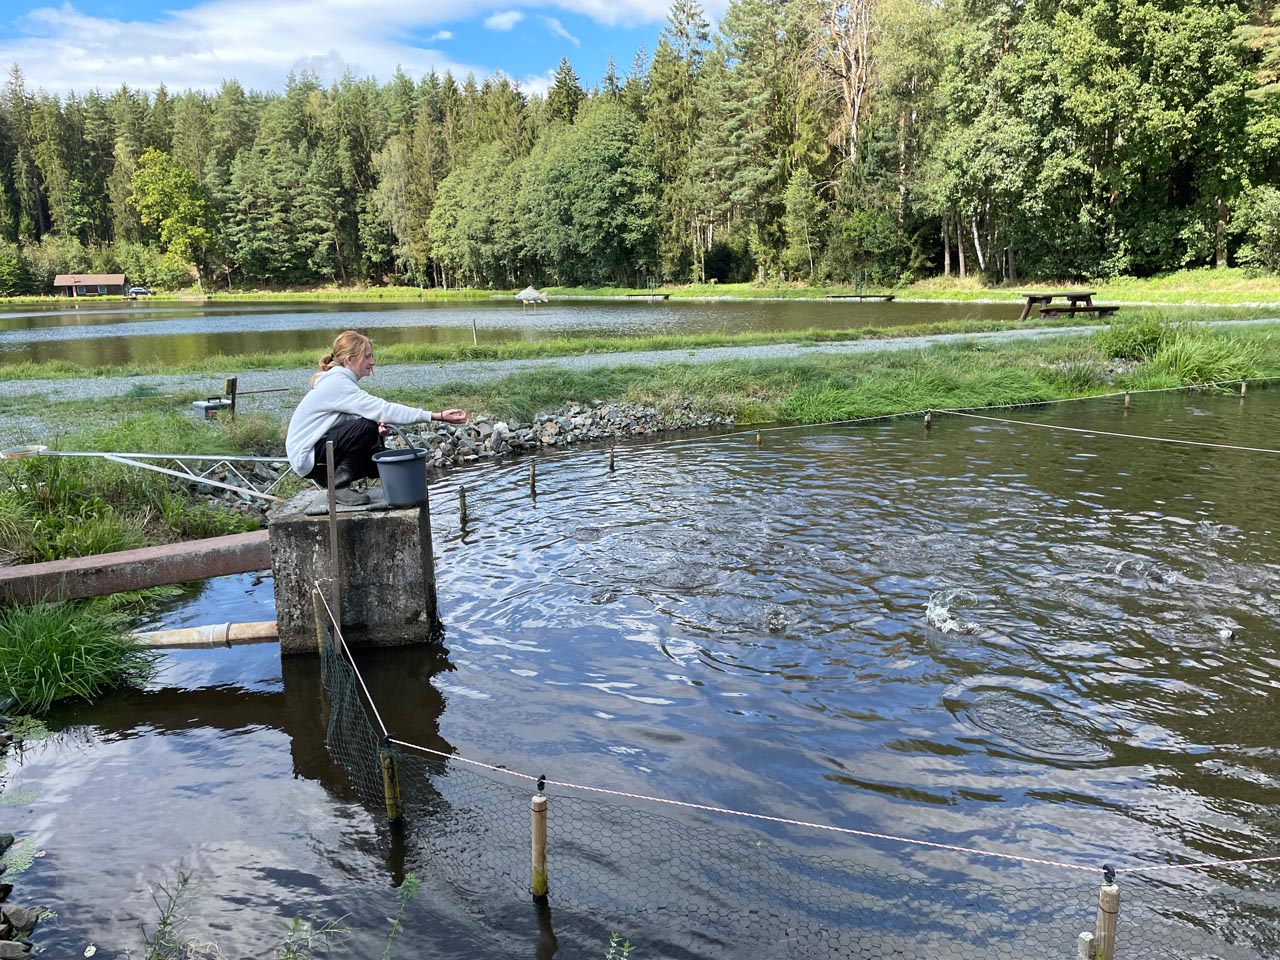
[(1022, 641)]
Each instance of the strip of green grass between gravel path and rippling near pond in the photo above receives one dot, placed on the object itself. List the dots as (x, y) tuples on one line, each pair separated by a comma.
[(831, 387)]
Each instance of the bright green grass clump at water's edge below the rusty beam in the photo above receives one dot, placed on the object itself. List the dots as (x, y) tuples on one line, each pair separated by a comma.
[(54, 652)]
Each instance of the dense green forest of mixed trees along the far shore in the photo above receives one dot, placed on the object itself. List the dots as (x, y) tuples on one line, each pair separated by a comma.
[(801, 141)]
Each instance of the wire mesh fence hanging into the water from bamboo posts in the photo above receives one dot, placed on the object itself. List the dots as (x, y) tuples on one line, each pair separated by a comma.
[(692, 886)]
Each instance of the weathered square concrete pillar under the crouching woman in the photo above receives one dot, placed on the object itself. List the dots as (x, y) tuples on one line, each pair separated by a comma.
[(387, 573)]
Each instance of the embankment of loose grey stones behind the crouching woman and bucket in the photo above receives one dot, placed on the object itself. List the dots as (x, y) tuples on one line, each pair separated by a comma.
[(490, 438)]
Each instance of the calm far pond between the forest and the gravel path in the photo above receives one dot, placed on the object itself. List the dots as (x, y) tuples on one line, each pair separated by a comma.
[(141, 332)]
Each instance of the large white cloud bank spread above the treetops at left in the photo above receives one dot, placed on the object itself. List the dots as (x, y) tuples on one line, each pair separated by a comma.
[(259, 43)]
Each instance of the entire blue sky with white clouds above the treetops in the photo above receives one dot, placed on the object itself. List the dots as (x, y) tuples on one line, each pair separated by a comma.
[(85, 44)]
